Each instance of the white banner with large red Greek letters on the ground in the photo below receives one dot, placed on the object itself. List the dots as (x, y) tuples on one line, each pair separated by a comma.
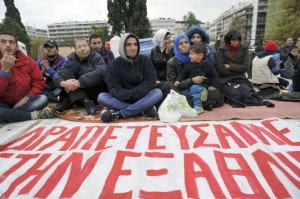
[(233, 159)]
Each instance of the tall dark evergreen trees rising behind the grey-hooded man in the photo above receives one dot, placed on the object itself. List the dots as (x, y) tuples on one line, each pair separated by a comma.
[(128, 16)]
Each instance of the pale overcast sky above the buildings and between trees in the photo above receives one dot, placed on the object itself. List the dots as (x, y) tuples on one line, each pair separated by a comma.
[(39, 13)]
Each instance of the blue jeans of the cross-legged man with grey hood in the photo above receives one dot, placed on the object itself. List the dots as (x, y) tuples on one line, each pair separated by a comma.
[(126, 109)]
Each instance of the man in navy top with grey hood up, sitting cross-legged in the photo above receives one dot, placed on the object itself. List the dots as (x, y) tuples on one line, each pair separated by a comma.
[(131, 80)]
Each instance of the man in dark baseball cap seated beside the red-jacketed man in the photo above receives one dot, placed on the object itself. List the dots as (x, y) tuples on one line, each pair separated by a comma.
[(48, 65)]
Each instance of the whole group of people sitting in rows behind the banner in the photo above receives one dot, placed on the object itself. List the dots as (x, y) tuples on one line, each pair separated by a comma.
[(133, 84)]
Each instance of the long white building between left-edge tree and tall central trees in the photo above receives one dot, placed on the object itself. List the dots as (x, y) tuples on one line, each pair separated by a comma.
[(72, 29)]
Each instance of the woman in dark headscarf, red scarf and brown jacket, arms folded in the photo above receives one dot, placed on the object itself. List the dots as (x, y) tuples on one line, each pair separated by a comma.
[(232, 66)]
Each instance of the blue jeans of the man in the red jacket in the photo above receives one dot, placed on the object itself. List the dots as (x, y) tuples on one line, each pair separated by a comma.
[(22, 113)]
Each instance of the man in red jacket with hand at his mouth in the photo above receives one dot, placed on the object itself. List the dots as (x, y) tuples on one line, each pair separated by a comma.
[(21, 84)]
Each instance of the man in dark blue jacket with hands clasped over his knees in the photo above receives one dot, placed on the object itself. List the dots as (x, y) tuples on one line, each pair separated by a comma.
[(81, 78)]
